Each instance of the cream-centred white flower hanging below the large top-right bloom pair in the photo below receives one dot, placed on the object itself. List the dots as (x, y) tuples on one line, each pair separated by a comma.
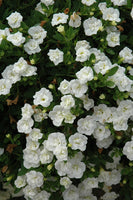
[(113, 39)]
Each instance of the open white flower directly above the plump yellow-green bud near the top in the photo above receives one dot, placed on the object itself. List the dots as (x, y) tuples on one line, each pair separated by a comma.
[(59, 18)]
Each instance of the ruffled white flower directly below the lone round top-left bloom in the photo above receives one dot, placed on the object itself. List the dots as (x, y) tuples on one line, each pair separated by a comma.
[(16, 39)]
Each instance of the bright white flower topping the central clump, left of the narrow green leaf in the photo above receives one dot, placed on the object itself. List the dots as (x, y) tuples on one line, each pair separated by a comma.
[(85, 74)]
